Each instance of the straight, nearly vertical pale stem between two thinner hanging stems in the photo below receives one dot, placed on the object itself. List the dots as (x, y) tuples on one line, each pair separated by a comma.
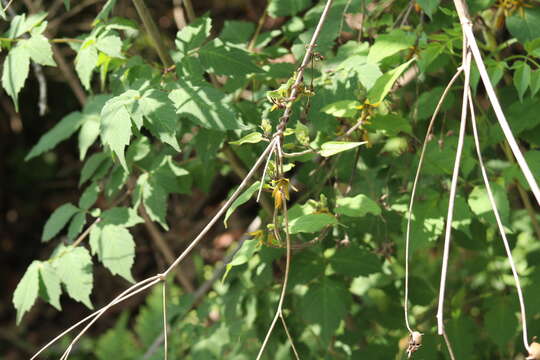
[(453, 188)]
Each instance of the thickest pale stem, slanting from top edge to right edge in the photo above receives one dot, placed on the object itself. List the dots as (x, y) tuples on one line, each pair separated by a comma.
[(466, 26)]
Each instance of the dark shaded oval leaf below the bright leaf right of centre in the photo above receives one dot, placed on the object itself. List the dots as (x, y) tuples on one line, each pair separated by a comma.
[(352, 261)]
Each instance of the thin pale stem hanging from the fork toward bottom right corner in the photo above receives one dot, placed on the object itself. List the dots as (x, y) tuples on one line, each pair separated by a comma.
[(499, 224)]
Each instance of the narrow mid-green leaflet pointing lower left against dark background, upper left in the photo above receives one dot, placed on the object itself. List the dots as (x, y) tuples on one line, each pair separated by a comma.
[(60, 132)]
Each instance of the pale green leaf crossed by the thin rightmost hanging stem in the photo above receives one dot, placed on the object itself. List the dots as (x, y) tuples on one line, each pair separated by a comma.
[(481, 206)]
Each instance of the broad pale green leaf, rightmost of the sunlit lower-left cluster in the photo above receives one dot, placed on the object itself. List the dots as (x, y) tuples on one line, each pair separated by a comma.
[(115, 248)]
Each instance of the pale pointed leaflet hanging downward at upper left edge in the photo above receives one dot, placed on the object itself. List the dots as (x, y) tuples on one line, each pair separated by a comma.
[(15, 72)]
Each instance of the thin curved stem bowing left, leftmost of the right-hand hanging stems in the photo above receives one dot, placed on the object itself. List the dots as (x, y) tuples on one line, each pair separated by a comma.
[(413, 193)]
